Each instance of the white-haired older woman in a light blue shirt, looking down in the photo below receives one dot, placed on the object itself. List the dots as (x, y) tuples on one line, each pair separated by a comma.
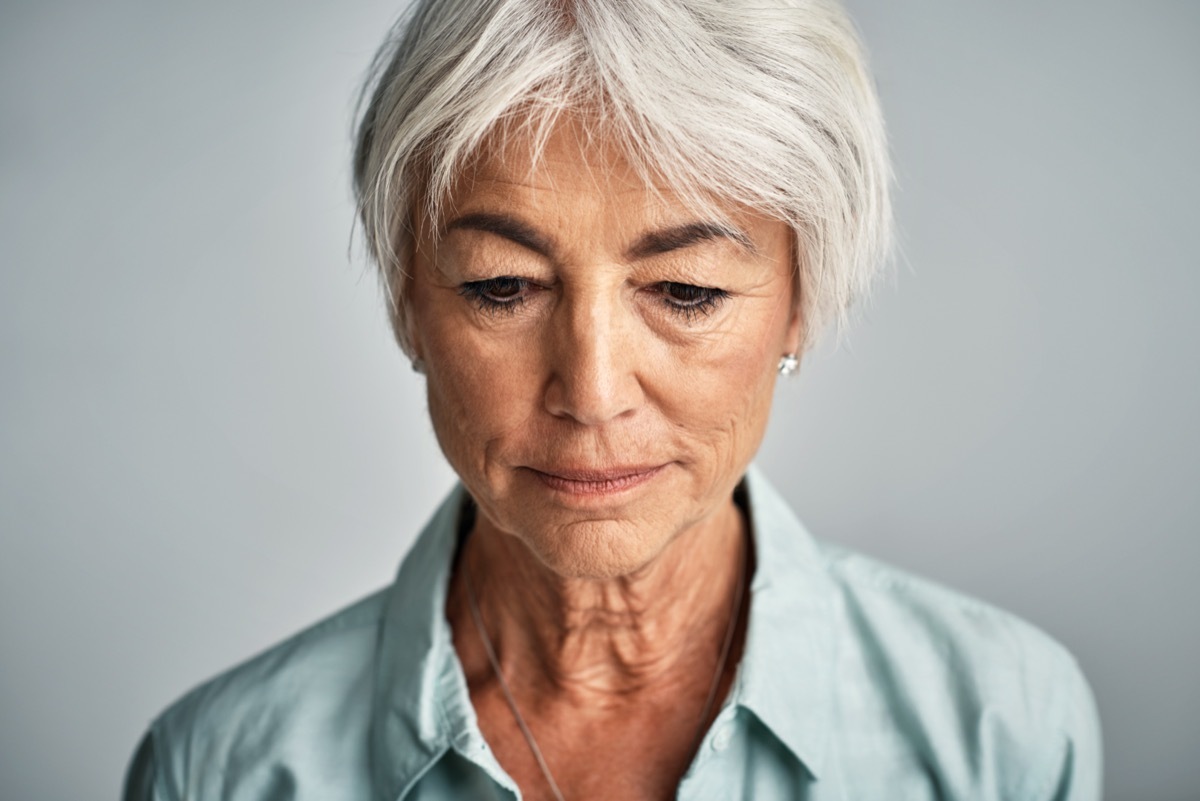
[(605, 227)]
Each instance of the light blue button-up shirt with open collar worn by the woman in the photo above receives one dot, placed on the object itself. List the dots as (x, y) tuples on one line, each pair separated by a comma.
[(859, 683)]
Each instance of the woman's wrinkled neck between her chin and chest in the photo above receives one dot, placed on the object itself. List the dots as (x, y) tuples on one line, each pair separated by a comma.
[(602, 641)]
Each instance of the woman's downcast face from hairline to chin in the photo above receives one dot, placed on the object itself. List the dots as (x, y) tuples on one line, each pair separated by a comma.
[(601, 362)]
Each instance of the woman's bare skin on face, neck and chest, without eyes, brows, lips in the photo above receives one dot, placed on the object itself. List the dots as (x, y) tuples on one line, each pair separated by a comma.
[(608, 613)]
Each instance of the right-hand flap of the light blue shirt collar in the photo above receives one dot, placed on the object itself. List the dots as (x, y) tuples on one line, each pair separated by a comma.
[(789, 661)]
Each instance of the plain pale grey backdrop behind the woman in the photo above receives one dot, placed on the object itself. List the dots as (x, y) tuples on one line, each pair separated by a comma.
[(208, 439)]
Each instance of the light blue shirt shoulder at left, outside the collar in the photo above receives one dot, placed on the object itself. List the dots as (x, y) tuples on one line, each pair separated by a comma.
[(305, 697)]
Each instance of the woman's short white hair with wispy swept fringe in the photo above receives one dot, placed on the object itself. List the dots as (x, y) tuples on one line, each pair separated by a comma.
[(765, 104)]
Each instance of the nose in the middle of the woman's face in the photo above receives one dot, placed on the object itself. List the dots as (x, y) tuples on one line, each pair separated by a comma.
[(595, 360)]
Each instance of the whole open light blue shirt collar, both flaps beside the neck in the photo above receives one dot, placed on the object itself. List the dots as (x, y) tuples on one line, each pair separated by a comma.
[(423, 708)]
